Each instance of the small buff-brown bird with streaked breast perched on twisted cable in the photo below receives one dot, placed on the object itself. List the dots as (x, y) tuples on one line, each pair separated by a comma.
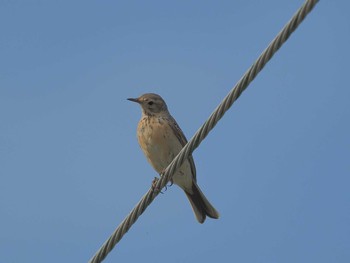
[(161, 139)]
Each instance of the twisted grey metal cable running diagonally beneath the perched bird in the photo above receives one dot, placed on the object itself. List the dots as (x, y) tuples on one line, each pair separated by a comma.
[(187, 150)]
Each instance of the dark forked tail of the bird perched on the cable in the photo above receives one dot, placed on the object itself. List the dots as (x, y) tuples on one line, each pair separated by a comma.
[(200, 204)]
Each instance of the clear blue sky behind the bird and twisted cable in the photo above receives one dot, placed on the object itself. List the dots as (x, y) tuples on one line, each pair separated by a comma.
[(277, 166)]
